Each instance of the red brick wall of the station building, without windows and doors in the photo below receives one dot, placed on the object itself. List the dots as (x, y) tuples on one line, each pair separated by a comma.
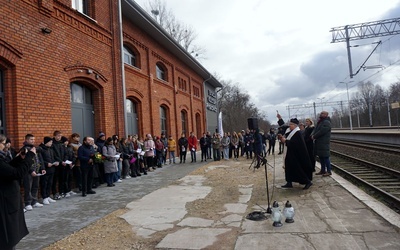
[(39, 68)]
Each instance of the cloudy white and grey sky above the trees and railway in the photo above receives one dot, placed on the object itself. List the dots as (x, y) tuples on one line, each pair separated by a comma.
[(281, 51)]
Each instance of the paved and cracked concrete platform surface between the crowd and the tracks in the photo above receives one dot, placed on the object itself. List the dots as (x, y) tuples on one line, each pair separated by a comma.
[(332, 214)]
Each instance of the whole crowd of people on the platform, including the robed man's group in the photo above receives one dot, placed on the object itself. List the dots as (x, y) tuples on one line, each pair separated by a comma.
[(60, 163)]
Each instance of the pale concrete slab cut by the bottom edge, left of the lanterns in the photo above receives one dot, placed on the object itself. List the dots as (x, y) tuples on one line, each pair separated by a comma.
[(189, 238)]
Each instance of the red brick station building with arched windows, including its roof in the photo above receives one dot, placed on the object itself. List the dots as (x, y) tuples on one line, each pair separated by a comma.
[(70, 65)]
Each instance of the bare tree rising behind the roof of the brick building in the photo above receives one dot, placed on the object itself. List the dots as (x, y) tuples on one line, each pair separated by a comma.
[(184, 34)]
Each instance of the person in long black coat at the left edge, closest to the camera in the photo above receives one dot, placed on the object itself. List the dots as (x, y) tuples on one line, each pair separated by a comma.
[(12, 219)]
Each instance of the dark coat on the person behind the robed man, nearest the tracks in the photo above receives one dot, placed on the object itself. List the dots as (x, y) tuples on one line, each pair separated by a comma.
[(322, 137)]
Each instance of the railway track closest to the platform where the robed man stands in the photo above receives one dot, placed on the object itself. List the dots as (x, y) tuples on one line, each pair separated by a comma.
[(378, 181)]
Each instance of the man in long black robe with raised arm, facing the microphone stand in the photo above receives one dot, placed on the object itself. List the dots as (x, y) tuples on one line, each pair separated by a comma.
[(297, 162)]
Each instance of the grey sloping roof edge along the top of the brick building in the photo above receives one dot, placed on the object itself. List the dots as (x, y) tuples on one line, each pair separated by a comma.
[(137, 15)]
